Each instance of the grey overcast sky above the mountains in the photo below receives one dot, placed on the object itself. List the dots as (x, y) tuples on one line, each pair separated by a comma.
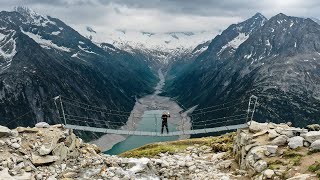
[(163, 15)]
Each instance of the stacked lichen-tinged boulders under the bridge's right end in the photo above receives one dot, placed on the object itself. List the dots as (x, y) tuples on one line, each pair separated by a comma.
[(274, 151)]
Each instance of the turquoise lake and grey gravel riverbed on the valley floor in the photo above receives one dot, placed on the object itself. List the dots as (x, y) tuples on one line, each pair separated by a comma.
[(150, 109)]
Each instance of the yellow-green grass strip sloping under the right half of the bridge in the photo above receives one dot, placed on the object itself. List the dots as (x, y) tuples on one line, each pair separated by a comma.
[(218, 144)]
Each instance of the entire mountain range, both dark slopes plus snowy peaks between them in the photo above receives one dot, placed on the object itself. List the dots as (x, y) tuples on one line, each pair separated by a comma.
[(276, 59)]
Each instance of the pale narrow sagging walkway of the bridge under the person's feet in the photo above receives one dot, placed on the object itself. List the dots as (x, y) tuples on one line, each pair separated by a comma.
[(146, 133)]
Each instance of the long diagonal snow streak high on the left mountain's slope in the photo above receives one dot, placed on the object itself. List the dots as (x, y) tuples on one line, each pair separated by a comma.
[(44, 43)]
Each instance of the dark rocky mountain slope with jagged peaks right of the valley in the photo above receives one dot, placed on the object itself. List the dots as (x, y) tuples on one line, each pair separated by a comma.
[(277, 60)]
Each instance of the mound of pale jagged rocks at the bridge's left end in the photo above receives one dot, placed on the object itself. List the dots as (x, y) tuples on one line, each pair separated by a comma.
[(44, 152)]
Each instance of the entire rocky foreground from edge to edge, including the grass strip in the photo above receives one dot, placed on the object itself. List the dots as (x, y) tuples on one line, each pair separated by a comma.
[(264, 151)]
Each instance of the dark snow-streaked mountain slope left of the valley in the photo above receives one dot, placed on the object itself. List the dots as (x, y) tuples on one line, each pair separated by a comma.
[(41, 57)]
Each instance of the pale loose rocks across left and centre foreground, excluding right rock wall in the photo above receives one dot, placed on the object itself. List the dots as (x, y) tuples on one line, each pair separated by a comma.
[(53, 152)]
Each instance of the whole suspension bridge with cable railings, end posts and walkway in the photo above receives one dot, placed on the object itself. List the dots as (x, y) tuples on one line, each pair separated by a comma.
[(221, 117)]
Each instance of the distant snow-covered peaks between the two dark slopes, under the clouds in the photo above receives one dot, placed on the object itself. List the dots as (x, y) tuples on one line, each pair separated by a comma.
[(145, 39)]
